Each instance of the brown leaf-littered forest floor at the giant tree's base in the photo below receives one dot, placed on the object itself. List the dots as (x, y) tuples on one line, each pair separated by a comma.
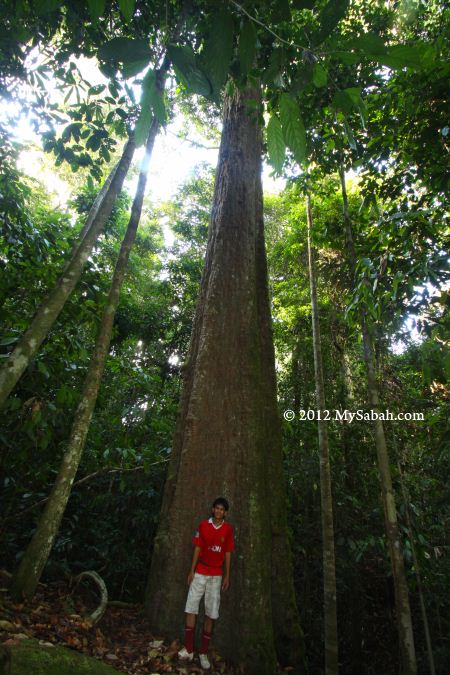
[(122, 638)]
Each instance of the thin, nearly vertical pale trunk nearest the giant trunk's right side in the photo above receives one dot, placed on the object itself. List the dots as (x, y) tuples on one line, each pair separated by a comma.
[(329, 564)]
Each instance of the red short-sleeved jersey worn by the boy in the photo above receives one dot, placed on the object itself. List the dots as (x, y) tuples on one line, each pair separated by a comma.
[(214, 543)]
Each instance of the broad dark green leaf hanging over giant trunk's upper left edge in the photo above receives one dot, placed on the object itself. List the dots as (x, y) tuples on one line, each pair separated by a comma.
[(218, 49)]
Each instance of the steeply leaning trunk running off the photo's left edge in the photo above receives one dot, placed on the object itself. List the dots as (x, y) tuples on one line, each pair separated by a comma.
[(47, 313)]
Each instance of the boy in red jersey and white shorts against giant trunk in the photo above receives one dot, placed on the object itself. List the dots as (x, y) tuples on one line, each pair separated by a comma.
[(213, 543)]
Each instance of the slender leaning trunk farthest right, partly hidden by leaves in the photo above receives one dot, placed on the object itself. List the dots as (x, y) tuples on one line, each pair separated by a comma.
[(403, 611)]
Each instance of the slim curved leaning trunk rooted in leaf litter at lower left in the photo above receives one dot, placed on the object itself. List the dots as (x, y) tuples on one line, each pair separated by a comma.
[(33, 562)]
